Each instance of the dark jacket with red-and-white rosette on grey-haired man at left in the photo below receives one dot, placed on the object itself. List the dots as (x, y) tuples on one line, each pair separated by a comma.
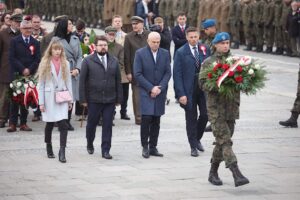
[(21, 57)]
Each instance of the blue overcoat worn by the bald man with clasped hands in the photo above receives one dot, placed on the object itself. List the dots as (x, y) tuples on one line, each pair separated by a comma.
[(149, 74)]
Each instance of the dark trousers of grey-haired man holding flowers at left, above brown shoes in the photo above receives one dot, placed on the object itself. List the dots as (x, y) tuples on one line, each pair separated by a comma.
[(14, 112)]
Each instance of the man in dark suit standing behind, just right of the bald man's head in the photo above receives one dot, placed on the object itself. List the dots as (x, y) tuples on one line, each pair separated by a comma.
[(178, 32)]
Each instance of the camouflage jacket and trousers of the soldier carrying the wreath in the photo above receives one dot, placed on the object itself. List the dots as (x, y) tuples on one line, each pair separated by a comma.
[(222, 113)]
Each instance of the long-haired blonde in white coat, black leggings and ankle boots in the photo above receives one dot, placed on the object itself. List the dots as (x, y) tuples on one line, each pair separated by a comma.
[(54, 75)]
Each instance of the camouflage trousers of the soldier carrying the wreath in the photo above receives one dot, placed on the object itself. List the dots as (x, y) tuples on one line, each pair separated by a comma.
[(223, 131)]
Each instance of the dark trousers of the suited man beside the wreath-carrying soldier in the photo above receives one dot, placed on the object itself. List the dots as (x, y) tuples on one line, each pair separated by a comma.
[(195, 124)]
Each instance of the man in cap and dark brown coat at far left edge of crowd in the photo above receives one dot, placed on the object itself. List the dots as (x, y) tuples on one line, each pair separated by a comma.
[(6, 36)]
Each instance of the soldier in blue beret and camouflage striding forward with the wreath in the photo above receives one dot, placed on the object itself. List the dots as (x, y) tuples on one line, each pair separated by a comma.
[(222, 113)]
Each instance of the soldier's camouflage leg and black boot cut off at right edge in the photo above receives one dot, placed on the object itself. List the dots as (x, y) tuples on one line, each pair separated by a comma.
[(292, 121)]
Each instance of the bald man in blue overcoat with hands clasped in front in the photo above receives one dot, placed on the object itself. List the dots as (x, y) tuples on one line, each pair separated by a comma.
[(152, 72)]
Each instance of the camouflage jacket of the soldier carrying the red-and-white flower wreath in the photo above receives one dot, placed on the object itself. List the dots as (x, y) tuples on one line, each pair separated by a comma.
[(218, 106)]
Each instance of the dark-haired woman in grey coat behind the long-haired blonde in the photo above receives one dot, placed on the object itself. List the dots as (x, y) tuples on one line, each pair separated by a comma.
[(73, 53)]
